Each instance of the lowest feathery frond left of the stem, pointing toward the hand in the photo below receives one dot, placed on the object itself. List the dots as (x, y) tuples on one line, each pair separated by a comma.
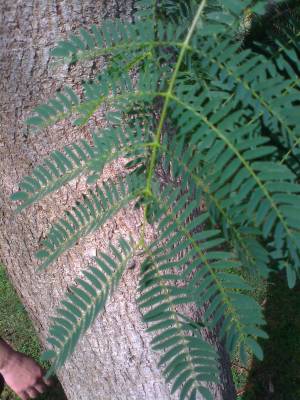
[(83, 302)]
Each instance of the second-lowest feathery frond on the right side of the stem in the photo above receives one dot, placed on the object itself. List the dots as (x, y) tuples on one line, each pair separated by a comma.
[(212, 272)]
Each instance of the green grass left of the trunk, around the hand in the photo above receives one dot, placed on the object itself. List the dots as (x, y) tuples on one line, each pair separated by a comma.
[(17, 329)]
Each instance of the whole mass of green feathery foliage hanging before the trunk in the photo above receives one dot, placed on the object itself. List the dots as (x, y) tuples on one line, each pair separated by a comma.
[(217, 114)]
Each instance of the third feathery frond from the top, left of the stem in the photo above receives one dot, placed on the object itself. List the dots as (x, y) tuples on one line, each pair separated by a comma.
[(77, 159)]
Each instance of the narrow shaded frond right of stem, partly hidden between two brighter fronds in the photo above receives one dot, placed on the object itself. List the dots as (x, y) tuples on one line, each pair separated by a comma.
[(246, 241)]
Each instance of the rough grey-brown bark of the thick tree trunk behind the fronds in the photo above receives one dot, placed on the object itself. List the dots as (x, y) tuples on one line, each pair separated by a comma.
[(114, 360)]
